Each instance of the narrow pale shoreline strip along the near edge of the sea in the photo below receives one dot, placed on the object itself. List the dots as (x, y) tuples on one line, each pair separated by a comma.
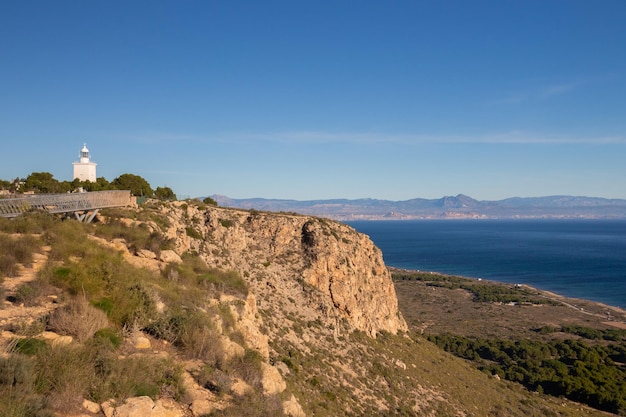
[(613, 316)]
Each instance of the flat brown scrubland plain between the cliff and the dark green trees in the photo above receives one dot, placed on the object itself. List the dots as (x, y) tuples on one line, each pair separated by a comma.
[(438, 310)]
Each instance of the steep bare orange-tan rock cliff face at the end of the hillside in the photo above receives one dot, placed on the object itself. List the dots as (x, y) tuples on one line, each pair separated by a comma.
[(321, 269)]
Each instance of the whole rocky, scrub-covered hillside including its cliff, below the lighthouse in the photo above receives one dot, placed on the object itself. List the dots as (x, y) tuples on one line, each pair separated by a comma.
[(223, 312)]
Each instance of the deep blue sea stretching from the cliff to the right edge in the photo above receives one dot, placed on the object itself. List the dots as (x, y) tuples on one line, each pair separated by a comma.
[(575, 258)]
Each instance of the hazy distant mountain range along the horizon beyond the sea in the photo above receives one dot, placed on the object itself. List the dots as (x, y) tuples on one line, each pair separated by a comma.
[(449, 207)]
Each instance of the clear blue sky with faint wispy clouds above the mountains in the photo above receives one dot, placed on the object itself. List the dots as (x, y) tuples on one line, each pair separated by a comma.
[(320, 99)]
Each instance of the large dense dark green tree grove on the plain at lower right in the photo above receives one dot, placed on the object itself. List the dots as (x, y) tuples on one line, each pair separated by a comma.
[(570, 368)]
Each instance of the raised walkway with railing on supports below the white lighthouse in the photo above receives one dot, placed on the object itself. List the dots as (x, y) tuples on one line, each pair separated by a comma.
[(84, 206)]
